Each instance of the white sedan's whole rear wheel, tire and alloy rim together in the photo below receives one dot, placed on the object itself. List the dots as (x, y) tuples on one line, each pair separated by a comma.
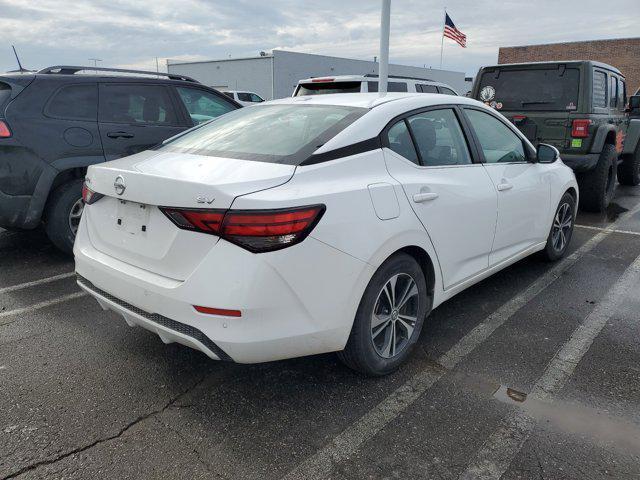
[(389, 317)]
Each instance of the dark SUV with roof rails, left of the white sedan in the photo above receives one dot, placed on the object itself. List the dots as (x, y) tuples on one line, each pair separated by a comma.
[(58, 121)]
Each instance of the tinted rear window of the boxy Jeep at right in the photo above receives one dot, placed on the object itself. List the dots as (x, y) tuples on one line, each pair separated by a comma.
[(549, 89)]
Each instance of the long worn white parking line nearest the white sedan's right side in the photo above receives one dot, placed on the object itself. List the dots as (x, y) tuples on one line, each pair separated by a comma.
[(320, 464)]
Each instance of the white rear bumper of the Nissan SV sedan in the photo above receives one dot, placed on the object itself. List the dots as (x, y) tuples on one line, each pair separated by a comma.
[(292, 304)]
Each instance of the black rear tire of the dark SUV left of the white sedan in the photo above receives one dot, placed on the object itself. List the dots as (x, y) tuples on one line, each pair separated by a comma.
[(57, 215)]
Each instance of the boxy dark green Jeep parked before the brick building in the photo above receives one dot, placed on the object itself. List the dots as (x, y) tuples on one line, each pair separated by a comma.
[(580, 107)]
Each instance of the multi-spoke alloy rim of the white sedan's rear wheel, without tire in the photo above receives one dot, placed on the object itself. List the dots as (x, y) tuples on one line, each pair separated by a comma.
[(394, 316)]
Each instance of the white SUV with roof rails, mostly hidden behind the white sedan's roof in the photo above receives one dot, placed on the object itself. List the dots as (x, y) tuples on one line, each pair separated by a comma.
[(367, 83)]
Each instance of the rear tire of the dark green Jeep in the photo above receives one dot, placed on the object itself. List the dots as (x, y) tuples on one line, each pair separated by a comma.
[(598, 185)]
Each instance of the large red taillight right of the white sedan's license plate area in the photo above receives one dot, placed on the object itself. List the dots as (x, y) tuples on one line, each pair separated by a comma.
[(254, 230)]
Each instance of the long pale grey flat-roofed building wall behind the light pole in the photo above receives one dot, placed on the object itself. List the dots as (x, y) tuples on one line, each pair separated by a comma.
[(276, 75)]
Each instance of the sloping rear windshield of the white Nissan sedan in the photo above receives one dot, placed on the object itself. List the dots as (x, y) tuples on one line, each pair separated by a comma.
[(286, 134)]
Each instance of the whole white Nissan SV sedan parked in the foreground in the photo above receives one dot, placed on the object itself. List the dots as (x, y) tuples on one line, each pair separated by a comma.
[(319, 224)]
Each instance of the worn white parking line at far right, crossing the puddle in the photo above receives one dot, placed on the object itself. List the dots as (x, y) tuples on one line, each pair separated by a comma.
[(503, 445)]
